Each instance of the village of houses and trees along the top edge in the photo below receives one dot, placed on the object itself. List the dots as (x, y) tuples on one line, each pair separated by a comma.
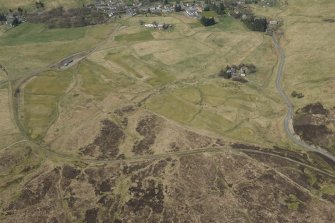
[(117, 8)]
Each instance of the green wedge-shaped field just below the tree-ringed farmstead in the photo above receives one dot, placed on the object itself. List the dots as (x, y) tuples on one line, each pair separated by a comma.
[(229, 110)]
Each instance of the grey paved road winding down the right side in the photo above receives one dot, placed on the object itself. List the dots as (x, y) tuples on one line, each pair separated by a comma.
[(288, 126)]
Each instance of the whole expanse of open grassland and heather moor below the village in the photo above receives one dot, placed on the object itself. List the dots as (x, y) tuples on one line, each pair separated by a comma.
[(140, 128)]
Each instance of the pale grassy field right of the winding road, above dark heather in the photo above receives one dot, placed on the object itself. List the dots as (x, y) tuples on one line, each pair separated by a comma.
[(309, 47)]
